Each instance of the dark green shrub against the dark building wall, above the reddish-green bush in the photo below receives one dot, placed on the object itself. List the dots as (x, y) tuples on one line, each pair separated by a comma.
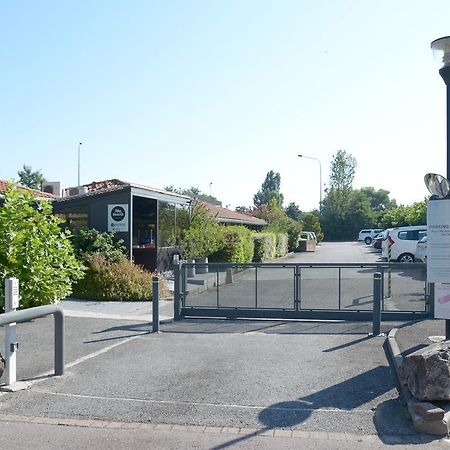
[(89, 242)]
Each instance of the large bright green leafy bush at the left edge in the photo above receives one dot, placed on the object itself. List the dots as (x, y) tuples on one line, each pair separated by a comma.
[(34, 249)]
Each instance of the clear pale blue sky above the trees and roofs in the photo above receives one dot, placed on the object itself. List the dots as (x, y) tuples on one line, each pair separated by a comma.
[(215, 93)]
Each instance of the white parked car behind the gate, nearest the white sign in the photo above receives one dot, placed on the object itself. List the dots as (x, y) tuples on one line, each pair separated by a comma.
[(402, 241)]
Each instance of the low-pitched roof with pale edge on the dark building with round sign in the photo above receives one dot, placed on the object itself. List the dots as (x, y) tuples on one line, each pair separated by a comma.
[(114, 184)]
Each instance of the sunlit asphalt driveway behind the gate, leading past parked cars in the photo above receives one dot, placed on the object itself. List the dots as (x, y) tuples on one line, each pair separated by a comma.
[(319, 288)]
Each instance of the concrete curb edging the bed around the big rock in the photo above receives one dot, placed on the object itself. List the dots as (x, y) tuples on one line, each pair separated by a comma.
[(423, 414)]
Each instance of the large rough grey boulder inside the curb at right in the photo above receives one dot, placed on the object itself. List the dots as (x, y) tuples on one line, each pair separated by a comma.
[(426, 372)]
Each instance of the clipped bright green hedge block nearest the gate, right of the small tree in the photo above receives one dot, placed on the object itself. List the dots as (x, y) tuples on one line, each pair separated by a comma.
[(237, 245)]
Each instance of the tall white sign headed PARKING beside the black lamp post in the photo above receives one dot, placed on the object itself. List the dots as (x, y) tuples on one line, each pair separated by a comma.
[(438, 241)]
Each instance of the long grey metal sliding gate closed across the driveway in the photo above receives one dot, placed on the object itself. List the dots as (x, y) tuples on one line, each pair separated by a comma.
[(321, 291)]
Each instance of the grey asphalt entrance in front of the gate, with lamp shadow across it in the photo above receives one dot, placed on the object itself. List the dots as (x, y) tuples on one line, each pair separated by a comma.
[(206, 384)]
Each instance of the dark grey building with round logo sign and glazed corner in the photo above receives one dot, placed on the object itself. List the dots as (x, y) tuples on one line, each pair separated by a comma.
[(147, 219)]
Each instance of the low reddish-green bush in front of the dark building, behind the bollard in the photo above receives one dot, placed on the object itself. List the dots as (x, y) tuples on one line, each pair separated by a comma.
[(109, 280)]
